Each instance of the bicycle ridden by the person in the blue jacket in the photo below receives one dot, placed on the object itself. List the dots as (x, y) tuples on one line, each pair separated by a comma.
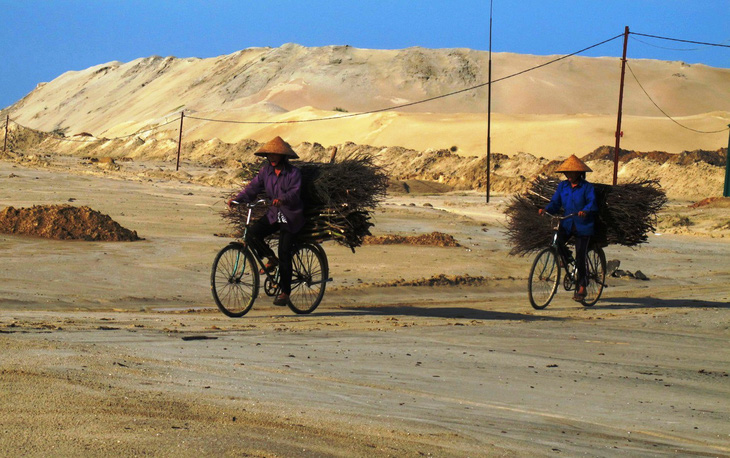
[(546, 270)]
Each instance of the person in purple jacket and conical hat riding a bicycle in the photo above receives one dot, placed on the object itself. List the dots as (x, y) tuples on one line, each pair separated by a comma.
[(282, 183)]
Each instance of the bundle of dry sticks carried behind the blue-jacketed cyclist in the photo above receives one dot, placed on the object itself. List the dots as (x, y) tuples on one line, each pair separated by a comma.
[(626, 215)]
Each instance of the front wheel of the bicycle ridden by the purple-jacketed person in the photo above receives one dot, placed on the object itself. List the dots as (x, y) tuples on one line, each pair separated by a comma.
[(234, 280)]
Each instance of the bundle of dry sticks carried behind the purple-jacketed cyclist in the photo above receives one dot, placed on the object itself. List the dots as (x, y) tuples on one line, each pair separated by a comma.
[(338, 197)]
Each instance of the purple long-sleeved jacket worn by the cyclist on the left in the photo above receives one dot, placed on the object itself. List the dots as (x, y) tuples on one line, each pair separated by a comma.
[(287, 187)]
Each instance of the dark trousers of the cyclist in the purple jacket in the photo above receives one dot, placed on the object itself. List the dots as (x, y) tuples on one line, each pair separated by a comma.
[(255, 238)]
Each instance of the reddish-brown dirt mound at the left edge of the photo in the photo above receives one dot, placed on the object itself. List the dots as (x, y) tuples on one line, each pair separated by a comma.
[(63, 222)]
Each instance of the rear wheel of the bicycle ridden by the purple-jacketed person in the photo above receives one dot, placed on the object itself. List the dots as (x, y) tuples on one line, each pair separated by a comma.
[(309, 278)]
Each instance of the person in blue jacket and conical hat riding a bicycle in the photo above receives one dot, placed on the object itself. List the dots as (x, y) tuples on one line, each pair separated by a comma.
[(575, 196)]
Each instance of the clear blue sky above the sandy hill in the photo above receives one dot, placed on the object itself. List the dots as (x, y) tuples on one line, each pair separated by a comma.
[(43, 39)]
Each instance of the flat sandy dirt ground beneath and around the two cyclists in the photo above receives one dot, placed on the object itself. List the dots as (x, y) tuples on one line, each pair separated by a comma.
[(116, 348)]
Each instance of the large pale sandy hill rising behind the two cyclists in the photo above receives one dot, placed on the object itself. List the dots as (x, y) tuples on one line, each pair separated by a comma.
[(566, 107)]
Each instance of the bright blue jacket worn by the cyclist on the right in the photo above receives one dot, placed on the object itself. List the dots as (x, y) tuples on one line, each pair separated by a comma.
[(572, 200)]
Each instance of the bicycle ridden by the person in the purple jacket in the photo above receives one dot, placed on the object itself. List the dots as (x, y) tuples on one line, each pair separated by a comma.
[(236, 275)]
